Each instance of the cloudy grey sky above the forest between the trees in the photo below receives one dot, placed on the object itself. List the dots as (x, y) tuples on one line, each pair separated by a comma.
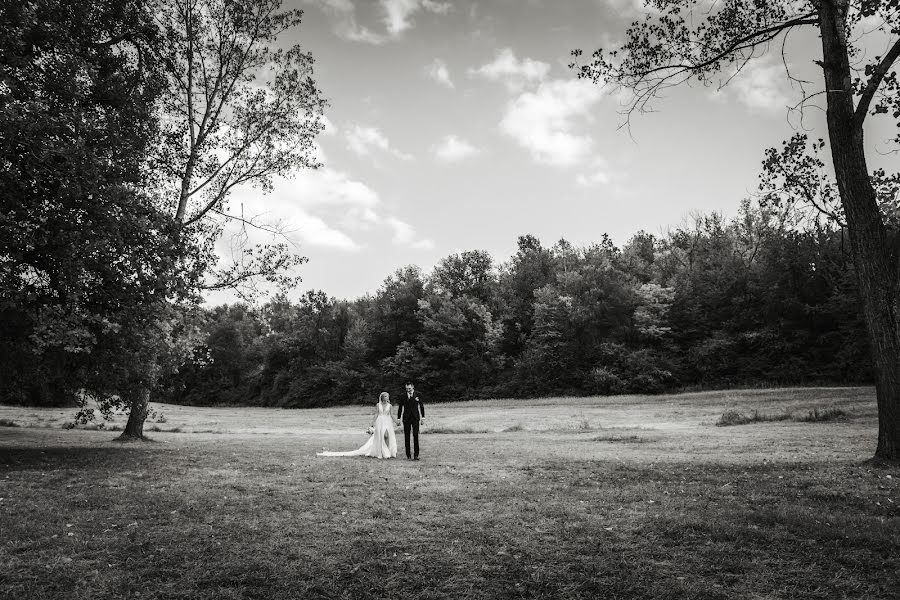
[(457, 125)]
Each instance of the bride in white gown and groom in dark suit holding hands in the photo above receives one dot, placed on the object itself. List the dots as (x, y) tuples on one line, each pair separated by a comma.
[(383, 443)]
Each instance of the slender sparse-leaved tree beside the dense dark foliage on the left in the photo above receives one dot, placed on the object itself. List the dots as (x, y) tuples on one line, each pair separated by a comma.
[(238, 111)]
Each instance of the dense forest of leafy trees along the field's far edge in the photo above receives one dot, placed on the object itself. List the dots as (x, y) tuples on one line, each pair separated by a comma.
[(762, 298)]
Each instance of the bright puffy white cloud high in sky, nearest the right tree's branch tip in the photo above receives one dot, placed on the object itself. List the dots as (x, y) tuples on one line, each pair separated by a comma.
[(545, 121)]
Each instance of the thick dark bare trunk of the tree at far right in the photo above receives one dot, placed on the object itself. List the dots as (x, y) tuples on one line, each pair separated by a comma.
[(876, 267)]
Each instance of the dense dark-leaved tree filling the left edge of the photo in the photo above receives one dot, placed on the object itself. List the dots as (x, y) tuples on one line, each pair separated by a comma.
[(83, 246)]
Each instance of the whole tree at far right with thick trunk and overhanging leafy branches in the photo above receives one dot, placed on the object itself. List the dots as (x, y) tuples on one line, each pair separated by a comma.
[(680, 40)]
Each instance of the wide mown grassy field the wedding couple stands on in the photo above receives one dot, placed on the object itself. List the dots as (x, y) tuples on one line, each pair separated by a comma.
[(623, 497)]
